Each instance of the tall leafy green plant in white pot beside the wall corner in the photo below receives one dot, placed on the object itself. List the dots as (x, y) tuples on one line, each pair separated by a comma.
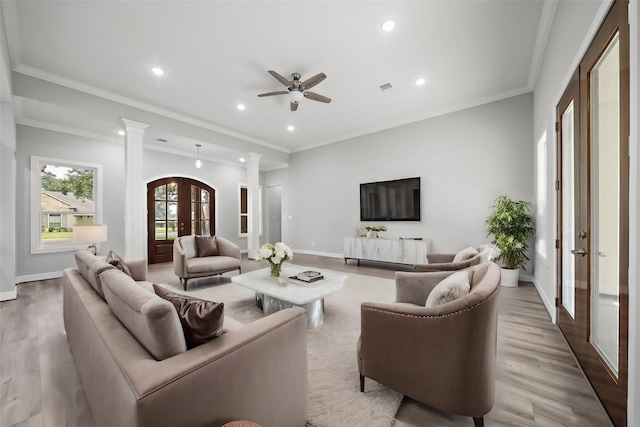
[(512, 227)]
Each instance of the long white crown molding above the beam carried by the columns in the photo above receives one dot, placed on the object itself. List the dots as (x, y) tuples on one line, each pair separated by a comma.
[(72, 84)]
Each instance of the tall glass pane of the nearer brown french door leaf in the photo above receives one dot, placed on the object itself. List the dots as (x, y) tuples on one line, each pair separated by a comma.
[(605, 204)]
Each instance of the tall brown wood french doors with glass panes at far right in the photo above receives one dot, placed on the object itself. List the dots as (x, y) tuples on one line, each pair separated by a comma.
[(593, 212)]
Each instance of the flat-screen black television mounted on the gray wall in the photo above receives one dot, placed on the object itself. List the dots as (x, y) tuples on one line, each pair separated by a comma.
[(397, 200)]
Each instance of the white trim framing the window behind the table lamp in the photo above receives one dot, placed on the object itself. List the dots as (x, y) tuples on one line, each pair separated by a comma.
[(35, 225)]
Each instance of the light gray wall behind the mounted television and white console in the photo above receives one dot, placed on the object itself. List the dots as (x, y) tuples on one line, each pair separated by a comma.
[(465, 160)]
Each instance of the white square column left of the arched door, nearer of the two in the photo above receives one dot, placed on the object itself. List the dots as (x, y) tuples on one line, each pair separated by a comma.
[(135, 217)]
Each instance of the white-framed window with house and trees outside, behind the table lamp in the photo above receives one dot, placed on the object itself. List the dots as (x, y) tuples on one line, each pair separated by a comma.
[(64, 194)]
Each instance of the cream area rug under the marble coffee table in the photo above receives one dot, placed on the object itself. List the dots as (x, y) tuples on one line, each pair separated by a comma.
[(334, 389)]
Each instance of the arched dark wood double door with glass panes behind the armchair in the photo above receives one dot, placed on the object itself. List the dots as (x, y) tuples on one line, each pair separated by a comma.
[(177, 207)]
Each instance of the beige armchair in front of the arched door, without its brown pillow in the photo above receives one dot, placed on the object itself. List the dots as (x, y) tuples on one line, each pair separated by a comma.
[(187, 263)]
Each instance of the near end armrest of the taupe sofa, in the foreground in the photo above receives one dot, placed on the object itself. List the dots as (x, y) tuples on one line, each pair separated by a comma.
[(257, 372)]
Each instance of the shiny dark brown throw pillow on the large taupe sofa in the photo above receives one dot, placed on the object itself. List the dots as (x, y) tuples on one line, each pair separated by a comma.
[(201, 320)]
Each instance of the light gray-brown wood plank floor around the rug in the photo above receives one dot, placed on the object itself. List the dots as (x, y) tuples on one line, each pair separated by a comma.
[(538, 381)]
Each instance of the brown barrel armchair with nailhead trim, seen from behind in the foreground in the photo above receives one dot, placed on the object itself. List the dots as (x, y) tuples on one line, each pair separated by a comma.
[(442, 356)]
